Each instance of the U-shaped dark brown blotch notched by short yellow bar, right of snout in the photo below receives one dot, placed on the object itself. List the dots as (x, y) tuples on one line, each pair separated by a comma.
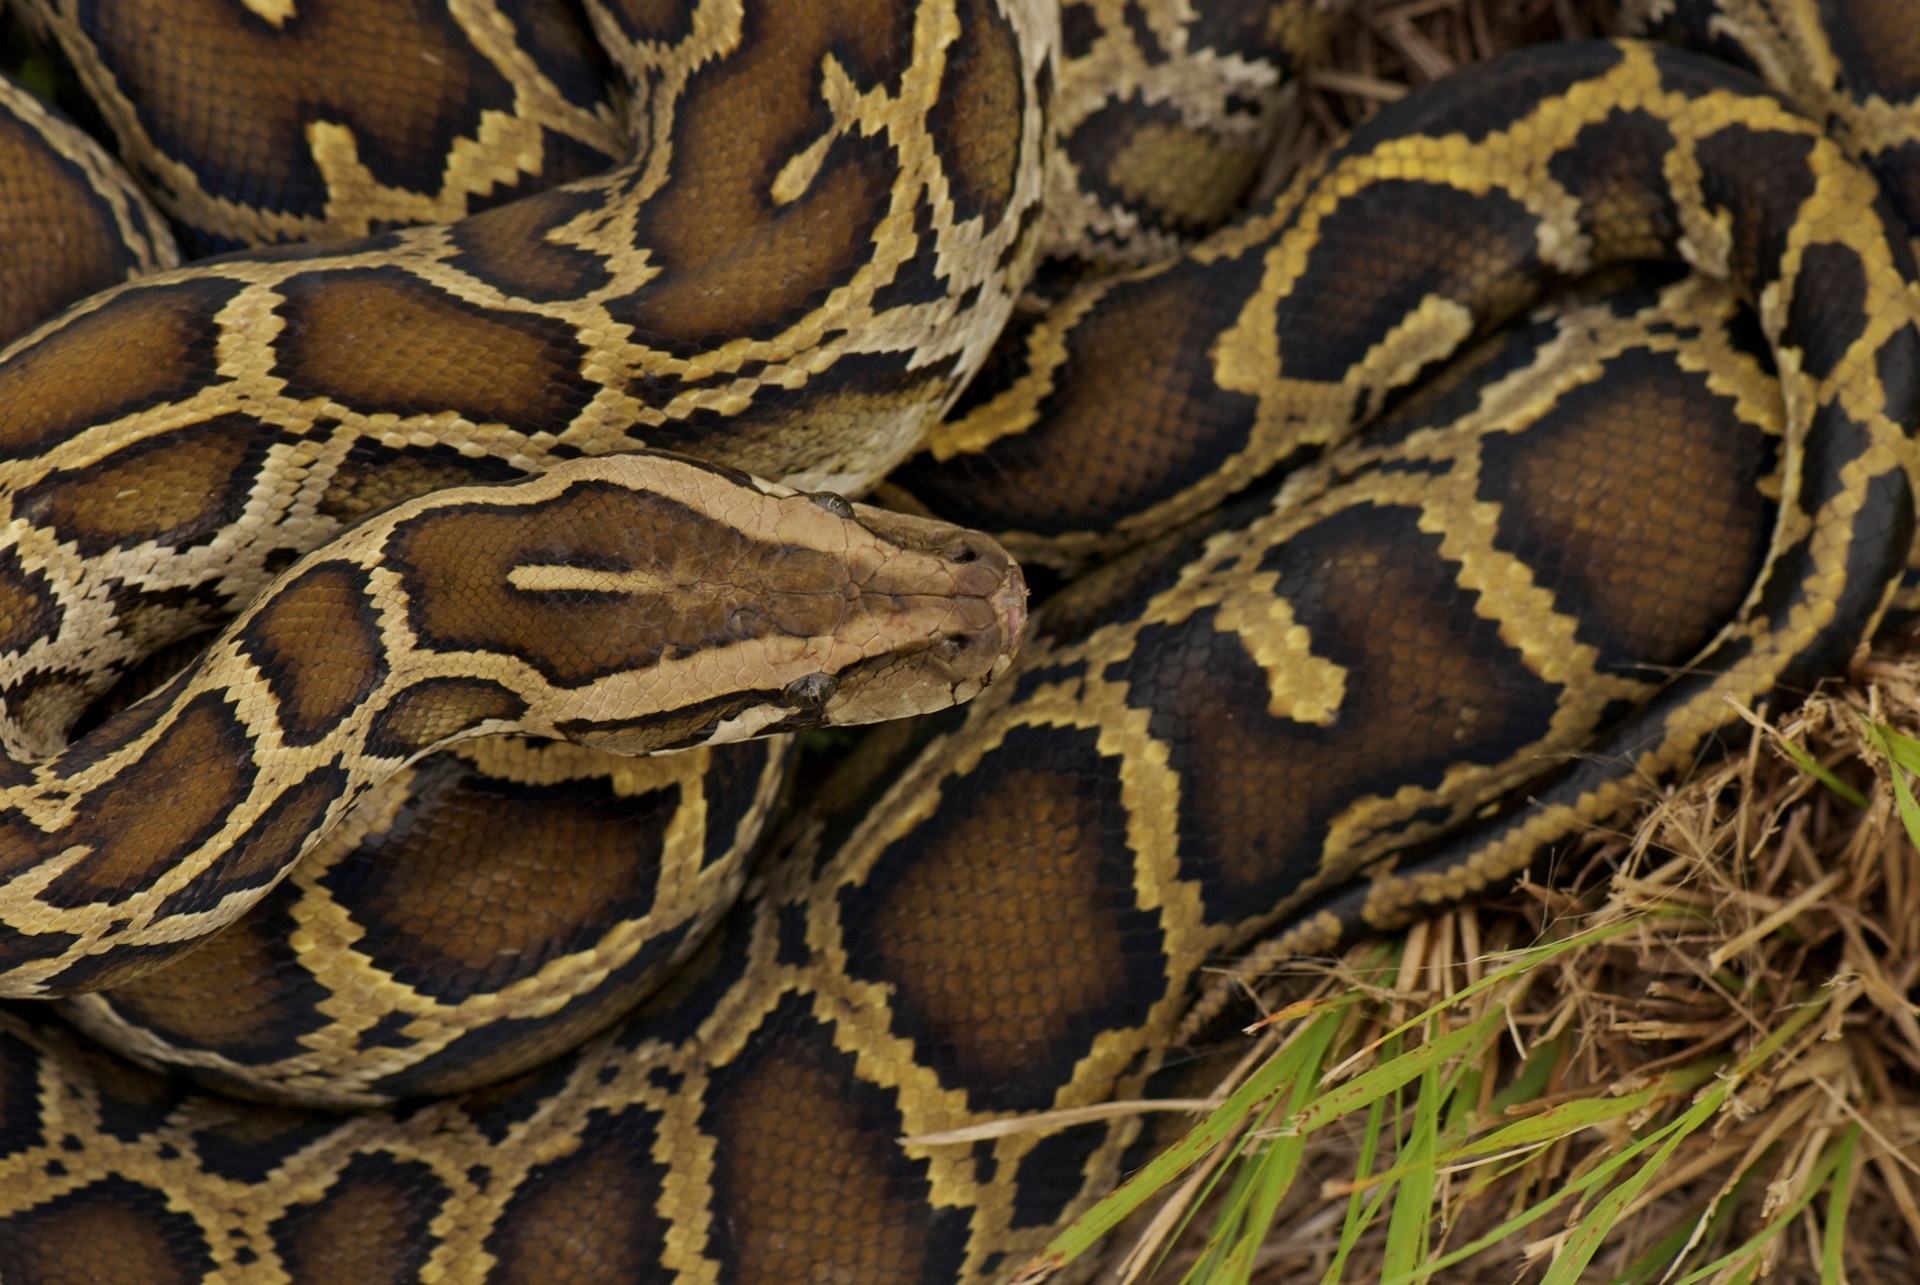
[(1429, 687)]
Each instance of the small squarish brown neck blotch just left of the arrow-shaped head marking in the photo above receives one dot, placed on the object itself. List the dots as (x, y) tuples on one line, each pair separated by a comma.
[(318, 644)]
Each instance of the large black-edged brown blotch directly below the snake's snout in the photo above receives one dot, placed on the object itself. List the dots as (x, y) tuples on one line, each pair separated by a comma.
[(1005, 923)]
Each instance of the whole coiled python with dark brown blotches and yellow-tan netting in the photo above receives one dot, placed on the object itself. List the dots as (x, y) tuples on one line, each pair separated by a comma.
[(1412, 658)]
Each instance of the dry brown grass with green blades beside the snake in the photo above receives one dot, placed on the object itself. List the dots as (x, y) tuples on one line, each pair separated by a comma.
[(1717, 1040)]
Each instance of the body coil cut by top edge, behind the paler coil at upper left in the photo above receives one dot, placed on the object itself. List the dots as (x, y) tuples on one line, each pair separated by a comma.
[(277, 122)]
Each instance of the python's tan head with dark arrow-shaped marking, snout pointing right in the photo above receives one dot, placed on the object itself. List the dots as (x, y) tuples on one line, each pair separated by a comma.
[(650, 602)]
